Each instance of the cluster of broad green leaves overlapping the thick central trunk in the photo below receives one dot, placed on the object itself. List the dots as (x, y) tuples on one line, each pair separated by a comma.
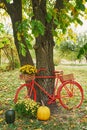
[(37, 28)]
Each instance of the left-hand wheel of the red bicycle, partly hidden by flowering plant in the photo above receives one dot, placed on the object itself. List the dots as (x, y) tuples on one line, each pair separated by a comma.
[(25, 91)]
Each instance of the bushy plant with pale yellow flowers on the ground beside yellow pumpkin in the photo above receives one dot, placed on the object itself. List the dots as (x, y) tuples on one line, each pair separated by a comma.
[(27, 107)]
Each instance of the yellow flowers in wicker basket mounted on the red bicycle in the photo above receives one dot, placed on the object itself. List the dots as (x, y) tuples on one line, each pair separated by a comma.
[(28, 72)]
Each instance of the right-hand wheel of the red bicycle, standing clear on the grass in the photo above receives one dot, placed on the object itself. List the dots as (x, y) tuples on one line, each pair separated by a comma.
[(70, 95)]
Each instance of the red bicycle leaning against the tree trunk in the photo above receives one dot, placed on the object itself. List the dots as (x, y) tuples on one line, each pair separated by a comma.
[(66, 90)]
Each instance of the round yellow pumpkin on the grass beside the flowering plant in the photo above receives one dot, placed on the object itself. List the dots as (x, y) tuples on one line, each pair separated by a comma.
[(43, 113)]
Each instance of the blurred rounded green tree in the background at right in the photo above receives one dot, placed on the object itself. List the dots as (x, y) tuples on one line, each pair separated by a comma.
[(74, 49)]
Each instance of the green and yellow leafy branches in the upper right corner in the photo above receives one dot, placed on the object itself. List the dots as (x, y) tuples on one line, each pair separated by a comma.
[(69, 14)]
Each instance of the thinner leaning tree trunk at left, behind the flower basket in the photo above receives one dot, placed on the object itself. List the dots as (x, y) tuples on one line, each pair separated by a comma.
[(15, 12)]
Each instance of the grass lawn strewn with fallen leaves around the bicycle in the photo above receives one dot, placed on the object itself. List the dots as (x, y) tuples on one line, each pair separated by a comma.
[(63, 120)]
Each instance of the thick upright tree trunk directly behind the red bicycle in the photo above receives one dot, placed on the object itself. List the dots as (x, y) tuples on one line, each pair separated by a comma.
[(44, 52)]
